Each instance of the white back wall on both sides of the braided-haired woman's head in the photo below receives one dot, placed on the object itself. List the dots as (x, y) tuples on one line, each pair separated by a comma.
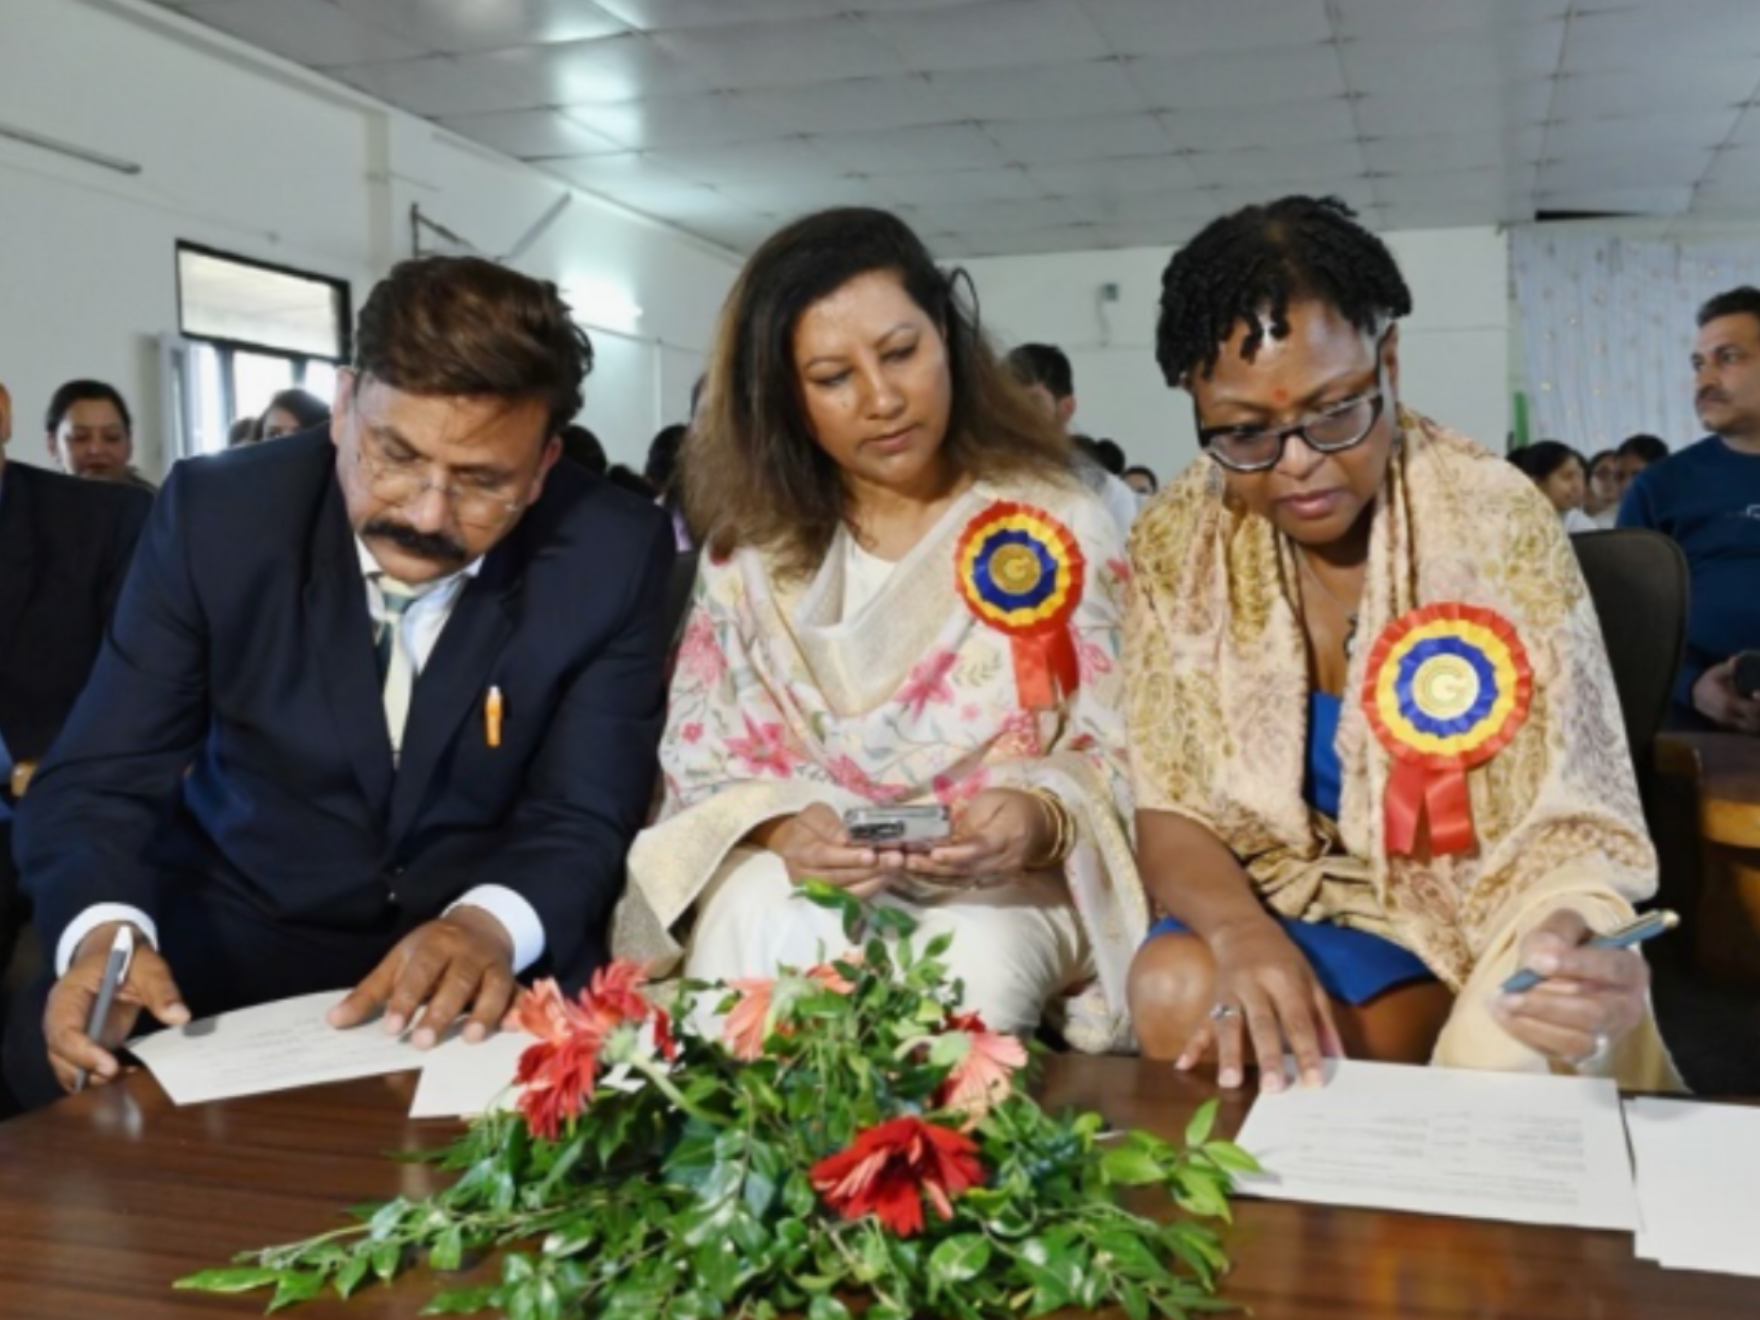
[(1455, 348)]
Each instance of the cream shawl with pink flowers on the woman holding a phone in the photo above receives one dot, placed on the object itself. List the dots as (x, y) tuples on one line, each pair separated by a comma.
[(779, 703)]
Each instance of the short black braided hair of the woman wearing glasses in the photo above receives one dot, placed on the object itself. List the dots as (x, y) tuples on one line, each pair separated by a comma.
[(1252, 265)]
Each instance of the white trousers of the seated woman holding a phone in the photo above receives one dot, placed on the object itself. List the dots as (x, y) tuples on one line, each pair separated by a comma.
[(1016, 948)]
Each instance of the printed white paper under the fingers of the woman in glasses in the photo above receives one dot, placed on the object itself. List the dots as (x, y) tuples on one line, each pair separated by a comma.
[(1444, 1141)]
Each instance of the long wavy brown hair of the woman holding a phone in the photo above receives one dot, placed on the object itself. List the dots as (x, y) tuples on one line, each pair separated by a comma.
[(754, 474)]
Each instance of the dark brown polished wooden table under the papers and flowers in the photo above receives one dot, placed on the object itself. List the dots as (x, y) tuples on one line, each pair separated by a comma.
[(110, 1196)]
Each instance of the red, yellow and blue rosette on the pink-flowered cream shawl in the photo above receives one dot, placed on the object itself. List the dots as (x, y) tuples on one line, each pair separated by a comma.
[(1022, 573)]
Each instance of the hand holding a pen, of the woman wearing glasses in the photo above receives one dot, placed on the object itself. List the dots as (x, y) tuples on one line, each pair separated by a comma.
[(1592, 997)]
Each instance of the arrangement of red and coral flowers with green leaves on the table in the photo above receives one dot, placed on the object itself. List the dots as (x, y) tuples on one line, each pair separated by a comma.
[(847, 1140)]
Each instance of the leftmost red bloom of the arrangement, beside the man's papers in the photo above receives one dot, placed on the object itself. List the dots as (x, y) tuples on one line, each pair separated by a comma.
[(561, 1071)]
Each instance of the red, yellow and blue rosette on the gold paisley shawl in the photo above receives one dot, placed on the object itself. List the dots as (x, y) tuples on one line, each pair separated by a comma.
[(1446, 689)]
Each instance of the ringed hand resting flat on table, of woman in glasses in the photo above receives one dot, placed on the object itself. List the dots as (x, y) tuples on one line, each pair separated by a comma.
[(1266, 994)]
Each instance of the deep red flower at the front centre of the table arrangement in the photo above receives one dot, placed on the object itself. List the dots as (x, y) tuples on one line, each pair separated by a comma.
[(891, 1168)]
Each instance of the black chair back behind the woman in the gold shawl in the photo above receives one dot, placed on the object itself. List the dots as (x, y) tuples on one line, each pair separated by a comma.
[(1638, 582)]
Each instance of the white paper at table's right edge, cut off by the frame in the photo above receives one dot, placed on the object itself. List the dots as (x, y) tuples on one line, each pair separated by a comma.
[(1699, 1185)]
